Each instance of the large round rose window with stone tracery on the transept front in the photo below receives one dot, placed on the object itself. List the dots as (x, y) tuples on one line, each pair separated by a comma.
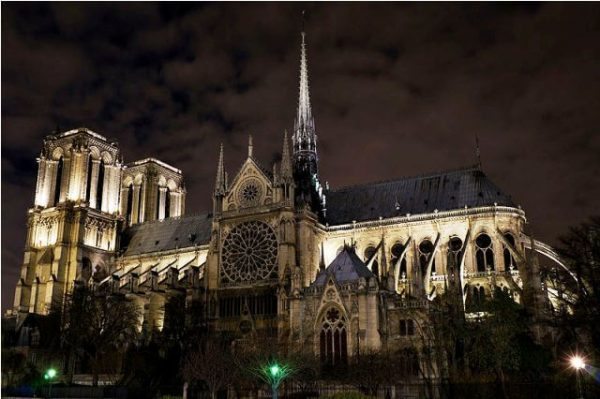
[(249, 253)]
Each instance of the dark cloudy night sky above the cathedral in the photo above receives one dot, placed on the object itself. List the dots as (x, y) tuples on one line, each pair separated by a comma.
[(396, 90)]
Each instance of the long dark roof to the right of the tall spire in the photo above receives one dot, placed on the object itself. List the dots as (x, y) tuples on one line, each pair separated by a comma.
[(423, 194)]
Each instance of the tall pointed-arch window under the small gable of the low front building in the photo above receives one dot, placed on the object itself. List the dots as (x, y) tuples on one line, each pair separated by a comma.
[(334, 340)]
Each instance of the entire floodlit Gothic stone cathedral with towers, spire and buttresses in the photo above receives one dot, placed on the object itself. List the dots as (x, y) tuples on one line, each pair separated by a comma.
[(335, 271)]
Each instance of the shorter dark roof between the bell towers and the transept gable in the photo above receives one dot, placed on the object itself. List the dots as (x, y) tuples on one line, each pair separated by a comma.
[(167, 234)]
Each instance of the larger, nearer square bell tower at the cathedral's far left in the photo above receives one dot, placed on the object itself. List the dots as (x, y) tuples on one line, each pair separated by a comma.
[(73, 224)]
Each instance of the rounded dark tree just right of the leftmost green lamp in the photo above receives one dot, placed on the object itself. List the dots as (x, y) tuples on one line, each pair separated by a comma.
[(94, 325)]
